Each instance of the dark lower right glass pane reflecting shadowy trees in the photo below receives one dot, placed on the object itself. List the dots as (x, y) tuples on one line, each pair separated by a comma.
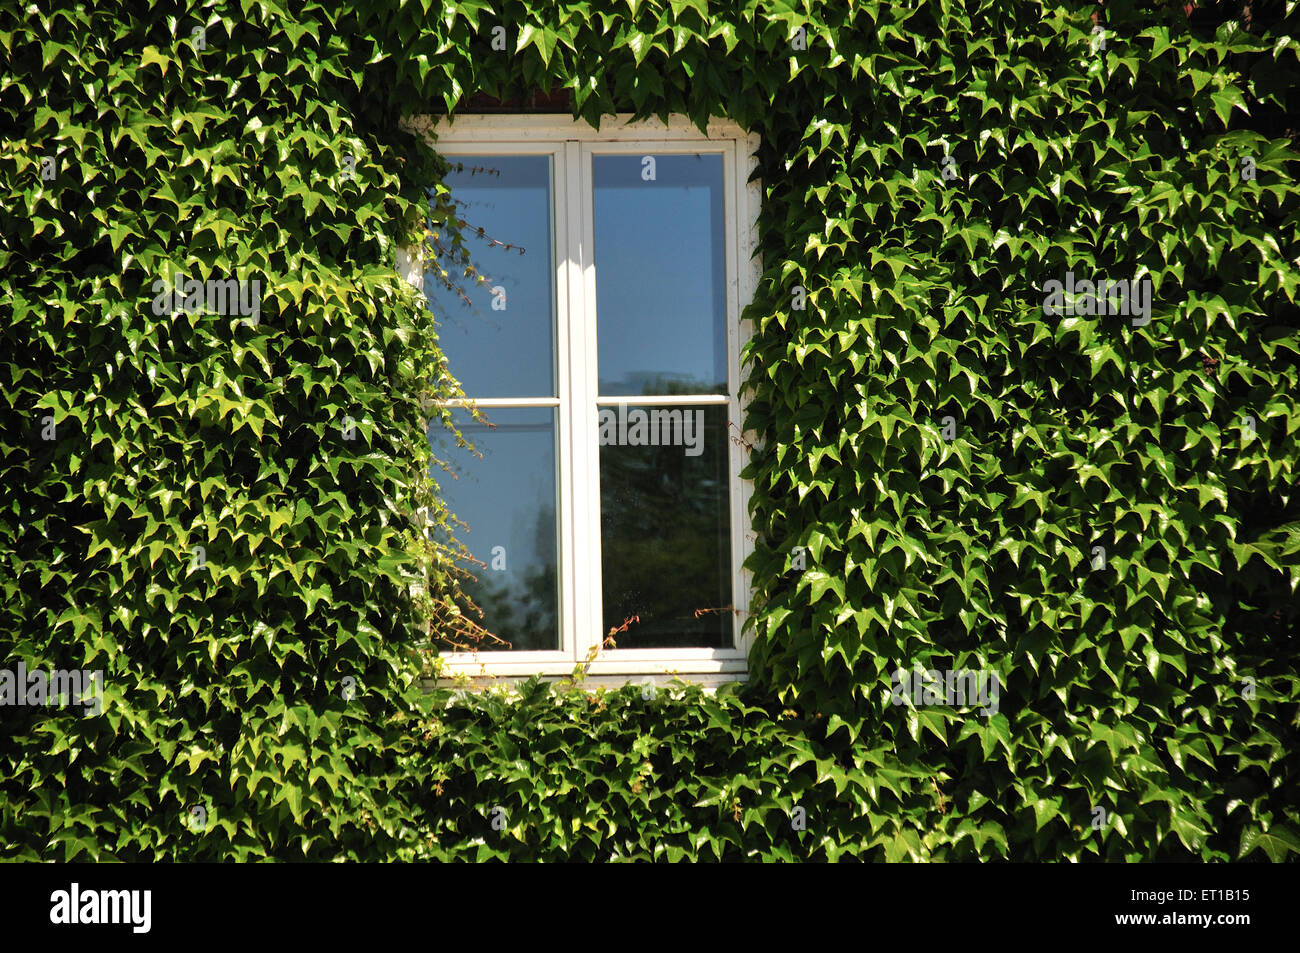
[(666, 526)]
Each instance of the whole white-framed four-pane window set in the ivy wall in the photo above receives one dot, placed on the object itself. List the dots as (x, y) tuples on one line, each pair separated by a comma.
[(606, 358)]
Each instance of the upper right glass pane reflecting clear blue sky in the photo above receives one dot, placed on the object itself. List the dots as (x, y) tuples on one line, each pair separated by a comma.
[(661, 293)]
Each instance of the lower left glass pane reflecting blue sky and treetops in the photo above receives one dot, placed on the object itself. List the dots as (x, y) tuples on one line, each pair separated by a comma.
[(508, 500)]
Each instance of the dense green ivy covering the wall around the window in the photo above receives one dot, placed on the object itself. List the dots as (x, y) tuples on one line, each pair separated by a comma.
[(946, 453)]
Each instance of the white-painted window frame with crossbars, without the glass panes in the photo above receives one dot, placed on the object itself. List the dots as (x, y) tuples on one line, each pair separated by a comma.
[(573, 144)]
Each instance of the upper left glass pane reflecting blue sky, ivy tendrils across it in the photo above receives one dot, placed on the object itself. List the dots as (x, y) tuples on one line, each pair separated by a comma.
[(502, 345)]
